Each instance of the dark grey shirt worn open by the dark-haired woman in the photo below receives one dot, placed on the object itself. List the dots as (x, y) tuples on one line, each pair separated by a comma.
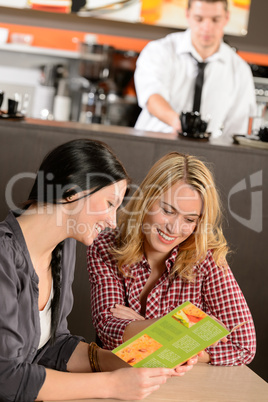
[(22, 367)]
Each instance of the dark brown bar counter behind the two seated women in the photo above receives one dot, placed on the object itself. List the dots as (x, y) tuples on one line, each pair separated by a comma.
[(240, 174)]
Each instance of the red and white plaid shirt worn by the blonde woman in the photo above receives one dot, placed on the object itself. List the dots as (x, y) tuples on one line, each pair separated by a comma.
[(214, 291)]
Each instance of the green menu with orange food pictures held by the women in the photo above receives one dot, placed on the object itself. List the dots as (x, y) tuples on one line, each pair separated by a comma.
[(173, 339)]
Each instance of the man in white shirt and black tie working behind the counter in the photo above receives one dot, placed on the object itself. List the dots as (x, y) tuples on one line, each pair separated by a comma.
[(167, 69)]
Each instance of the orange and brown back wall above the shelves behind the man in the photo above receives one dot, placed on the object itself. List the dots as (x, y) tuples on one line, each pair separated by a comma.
[(253, 47)]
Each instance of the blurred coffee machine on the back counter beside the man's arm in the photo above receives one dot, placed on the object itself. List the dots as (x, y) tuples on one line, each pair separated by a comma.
[(109, 72)]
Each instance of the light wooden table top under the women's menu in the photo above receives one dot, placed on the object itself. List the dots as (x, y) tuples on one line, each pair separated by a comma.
[(210, 384)]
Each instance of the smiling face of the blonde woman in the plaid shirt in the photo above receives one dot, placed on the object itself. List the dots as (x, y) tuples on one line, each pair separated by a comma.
[(171, 220)]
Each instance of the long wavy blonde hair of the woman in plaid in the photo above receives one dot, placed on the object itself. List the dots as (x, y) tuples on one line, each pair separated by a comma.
[(170, 169)]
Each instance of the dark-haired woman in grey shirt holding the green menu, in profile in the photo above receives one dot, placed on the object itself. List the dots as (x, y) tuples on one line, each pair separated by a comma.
[(77, 191)]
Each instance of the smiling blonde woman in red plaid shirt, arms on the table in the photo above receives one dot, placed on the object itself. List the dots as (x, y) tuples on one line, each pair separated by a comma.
[(169, 248)]
